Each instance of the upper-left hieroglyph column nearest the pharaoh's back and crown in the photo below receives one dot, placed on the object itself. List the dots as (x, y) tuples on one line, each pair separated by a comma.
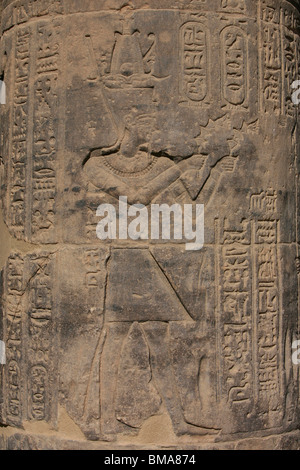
[(45, 134)]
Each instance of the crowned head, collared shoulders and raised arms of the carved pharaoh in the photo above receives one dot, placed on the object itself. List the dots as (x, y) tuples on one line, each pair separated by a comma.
[(138, 165)]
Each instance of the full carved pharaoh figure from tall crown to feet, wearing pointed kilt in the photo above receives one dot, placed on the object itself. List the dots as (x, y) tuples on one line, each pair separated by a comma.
[(139, 167)]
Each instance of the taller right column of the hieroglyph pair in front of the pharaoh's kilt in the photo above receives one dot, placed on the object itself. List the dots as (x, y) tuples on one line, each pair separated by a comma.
[(265, 229)]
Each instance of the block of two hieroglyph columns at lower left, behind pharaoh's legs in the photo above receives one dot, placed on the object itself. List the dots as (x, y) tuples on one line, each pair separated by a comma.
[(29, 288)]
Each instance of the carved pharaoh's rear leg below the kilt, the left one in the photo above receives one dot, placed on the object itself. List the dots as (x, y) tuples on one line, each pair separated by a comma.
[(129, 396)]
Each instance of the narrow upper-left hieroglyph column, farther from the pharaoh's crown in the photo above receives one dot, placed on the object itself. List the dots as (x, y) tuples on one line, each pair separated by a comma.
[(20, 130)]
